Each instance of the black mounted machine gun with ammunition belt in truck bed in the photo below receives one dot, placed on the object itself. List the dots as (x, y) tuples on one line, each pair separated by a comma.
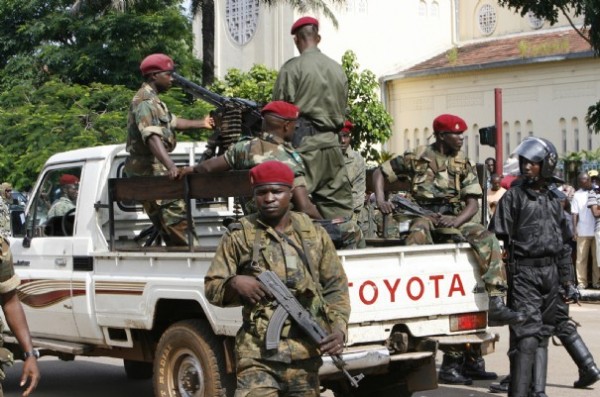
[(239, 116)]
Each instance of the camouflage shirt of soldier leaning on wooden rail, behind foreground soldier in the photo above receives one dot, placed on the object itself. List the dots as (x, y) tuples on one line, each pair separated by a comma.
[(249, 152)]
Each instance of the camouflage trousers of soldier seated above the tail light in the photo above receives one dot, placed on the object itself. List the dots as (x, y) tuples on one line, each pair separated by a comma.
[(484, 243)]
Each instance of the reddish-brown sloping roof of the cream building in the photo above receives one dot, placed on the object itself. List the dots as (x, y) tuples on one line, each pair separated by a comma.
[(522, 49)]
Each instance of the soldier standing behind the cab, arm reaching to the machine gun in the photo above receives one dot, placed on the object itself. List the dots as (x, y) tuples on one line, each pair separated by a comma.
[(150, 139)]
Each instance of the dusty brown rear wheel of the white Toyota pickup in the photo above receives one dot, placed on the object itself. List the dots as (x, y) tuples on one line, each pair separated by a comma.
[(189, 362)]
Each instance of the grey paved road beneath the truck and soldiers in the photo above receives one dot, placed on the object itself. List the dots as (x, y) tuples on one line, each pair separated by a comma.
[(106, 377)]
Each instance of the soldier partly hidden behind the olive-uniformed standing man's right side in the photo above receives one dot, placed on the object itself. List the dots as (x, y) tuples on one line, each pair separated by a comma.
[(357, 174)]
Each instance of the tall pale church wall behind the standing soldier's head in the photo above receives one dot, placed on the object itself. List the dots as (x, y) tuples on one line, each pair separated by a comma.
[(386, 35)]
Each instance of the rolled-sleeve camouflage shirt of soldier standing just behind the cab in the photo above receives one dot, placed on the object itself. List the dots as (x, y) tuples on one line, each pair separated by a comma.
[(148, 116)]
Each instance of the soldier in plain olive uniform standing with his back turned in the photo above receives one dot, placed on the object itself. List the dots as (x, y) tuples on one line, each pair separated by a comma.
[(319, 87)]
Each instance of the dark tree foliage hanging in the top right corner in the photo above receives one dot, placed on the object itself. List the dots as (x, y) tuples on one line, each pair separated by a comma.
[(590, 30)]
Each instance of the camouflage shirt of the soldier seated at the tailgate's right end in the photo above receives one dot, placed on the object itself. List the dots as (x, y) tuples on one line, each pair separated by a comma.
[(435, 177)]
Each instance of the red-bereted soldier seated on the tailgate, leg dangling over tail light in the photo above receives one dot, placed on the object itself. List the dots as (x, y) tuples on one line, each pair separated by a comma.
[(444, 181)]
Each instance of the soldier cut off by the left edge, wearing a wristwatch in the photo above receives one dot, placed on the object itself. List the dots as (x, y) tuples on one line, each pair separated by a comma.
[(15, 317)]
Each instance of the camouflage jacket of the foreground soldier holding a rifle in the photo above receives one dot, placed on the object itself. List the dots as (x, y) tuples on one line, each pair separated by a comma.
[(328, 301)]
